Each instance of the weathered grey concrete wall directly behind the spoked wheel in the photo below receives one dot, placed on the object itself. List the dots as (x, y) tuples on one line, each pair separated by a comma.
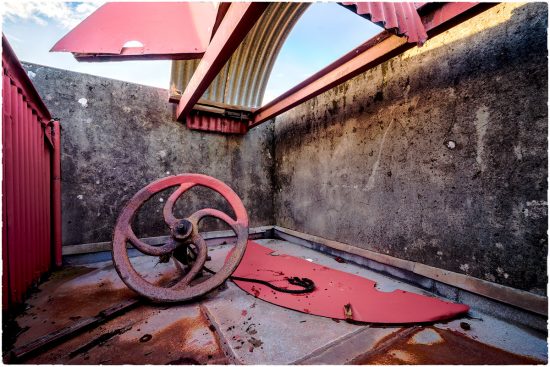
[(117, 137)]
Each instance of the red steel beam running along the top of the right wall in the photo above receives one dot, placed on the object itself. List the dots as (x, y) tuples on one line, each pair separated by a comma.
[(436, 18)]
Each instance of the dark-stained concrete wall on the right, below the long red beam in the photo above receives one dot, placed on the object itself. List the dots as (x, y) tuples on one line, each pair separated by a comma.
[(438, 156)]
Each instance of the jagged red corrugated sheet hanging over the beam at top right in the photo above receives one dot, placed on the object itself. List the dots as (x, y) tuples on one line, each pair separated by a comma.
[(401, 16)]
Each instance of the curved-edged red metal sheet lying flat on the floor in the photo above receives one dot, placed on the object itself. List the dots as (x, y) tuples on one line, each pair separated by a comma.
[(334, 289)]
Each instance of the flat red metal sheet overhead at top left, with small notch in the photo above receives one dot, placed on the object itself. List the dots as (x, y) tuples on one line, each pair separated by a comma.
[(160, 30)]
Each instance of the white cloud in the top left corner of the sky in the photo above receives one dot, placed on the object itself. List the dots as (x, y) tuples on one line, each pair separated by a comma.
[(67, 15)]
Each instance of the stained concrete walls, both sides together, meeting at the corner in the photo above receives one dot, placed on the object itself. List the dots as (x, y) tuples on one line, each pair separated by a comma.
[(438, 156)]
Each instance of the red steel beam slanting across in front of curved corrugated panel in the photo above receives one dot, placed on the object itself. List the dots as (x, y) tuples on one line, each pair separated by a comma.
[(234, 27)]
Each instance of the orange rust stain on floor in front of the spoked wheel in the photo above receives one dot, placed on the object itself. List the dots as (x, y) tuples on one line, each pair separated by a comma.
[(143, 336)]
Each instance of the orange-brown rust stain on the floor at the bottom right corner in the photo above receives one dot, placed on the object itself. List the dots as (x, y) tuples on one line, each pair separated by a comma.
[(448, 347)]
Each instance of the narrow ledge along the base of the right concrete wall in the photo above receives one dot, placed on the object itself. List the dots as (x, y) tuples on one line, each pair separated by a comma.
[(515, 297)]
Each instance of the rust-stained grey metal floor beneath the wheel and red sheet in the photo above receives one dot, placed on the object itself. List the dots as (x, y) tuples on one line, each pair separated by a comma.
[(230, 326)]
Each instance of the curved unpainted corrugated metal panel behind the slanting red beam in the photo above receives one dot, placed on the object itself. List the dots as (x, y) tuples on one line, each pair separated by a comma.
[(243, 79)]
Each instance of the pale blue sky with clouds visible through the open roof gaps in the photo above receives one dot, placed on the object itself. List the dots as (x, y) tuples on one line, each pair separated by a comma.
[(324, 33)]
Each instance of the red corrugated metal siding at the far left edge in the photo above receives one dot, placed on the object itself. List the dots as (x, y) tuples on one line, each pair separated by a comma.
[(26, 184)]
